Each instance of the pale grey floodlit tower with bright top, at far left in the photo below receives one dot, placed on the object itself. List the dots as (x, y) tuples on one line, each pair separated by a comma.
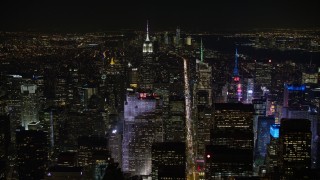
[(29, 105)]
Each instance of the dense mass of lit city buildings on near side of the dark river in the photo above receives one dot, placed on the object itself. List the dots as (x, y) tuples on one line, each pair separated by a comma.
[(154, 106)]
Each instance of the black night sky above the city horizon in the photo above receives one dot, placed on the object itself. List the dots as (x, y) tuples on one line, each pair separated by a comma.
[(96, 15)]
